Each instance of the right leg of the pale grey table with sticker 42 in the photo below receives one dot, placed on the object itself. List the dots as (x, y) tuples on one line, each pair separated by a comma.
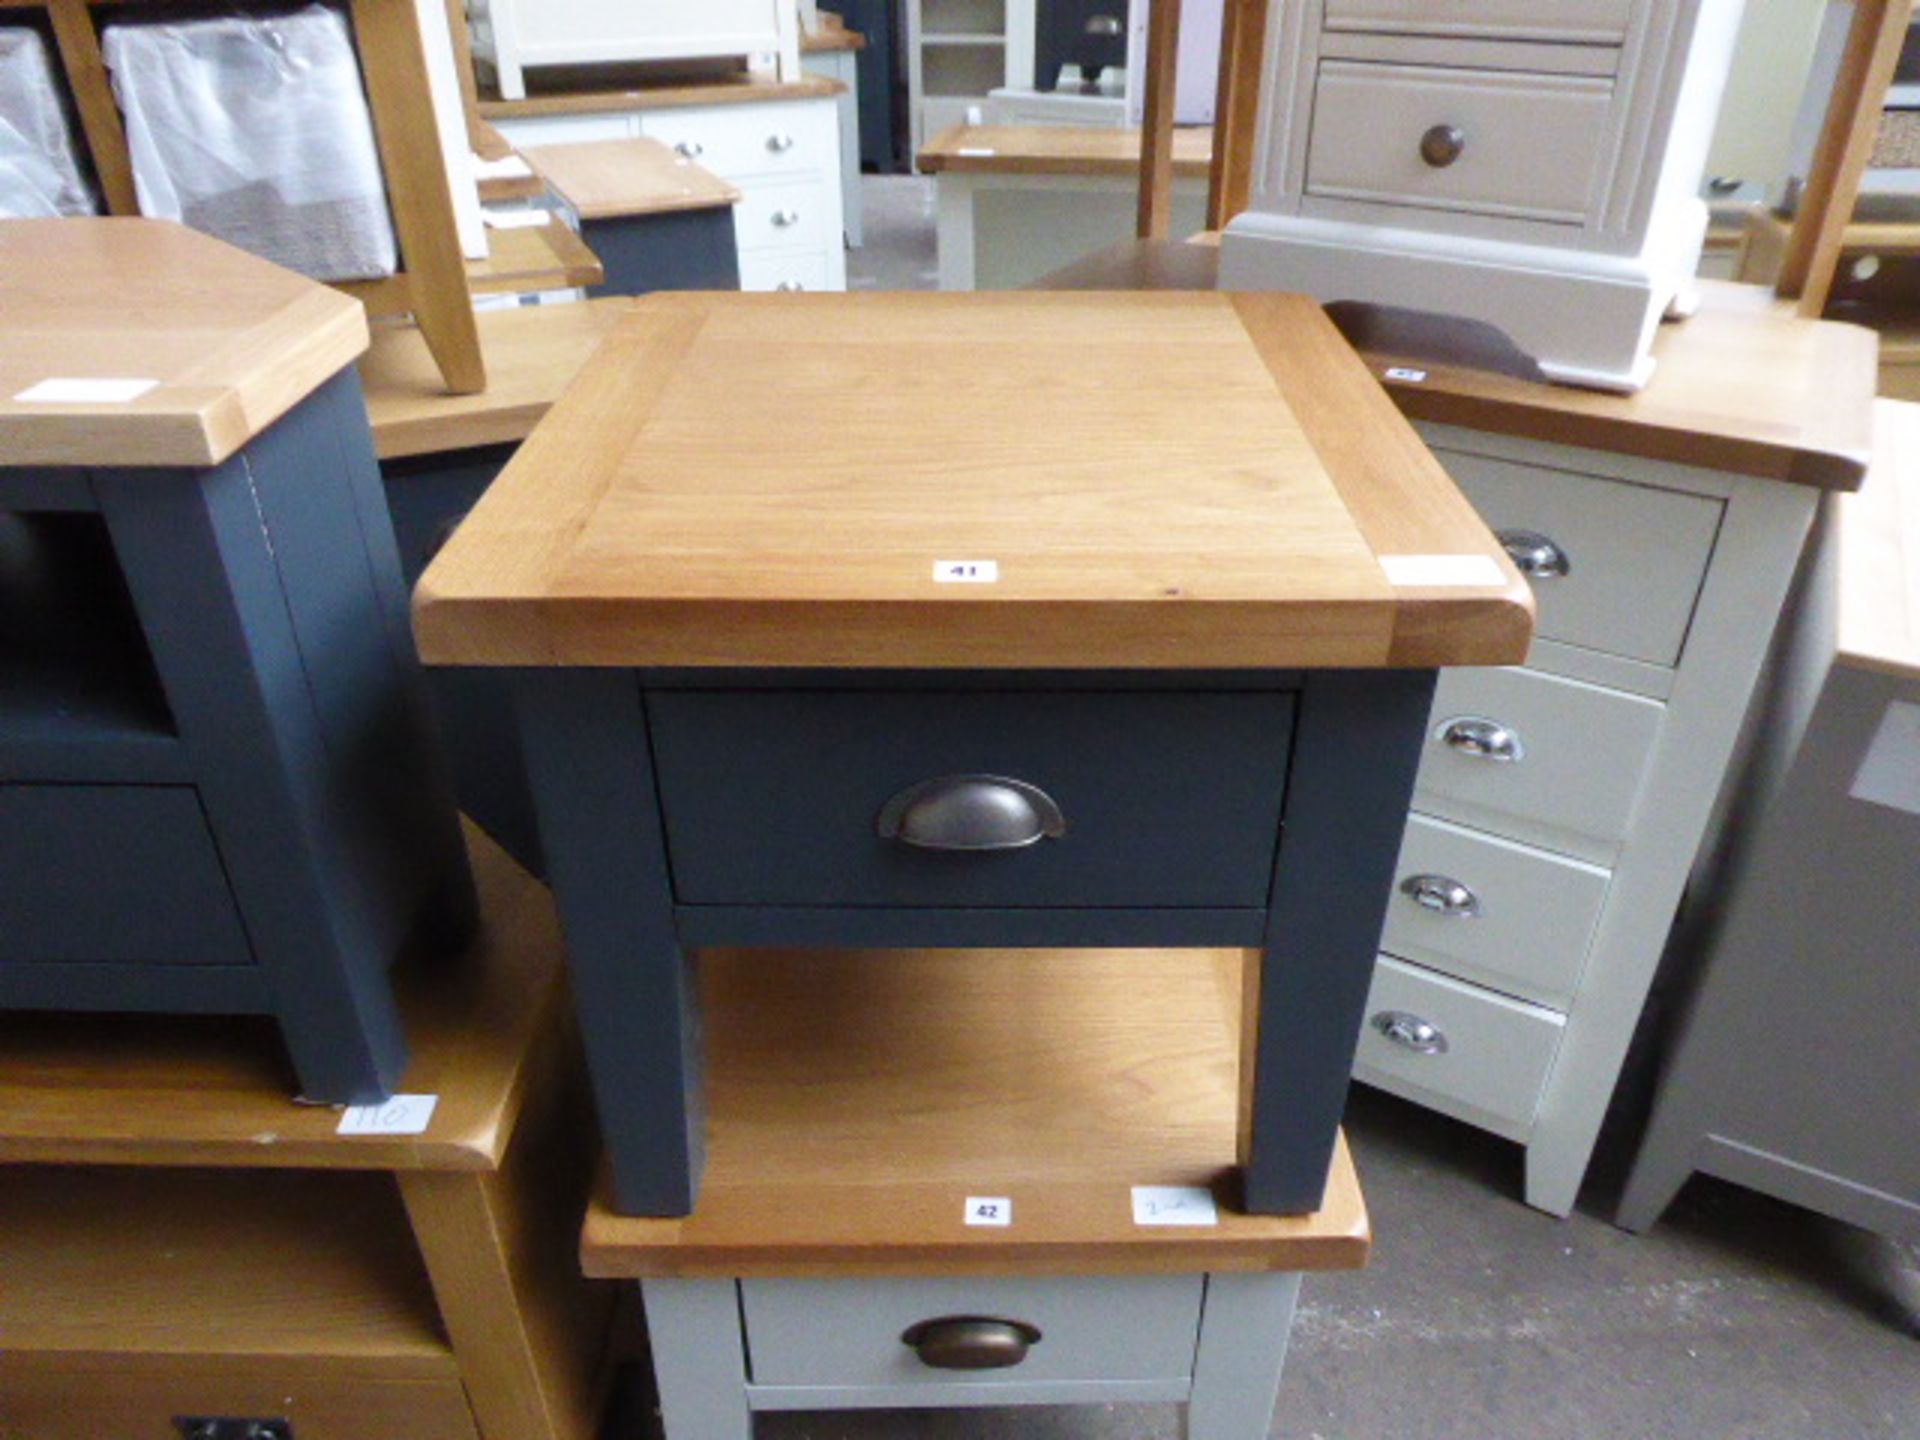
[(1243, 1351)]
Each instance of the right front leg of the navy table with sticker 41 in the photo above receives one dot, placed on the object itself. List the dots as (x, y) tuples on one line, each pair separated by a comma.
[(1356, 746)]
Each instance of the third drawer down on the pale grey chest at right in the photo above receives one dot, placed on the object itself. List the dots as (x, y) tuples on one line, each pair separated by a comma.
[(1508, 917)]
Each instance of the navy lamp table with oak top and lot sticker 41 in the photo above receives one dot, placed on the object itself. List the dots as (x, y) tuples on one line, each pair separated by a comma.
[(1105, 621)]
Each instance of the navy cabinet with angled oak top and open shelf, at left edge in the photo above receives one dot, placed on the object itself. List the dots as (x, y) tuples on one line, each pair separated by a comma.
[(218, 788)]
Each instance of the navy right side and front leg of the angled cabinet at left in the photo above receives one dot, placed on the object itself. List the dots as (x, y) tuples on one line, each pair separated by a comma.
[(268, 690)]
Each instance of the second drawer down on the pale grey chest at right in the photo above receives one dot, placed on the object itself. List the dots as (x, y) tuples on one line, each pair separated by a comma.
[(1581, 759)]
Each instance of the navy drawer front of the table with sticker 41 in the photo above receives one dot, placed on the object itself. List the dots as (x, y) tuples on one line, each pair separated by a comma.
[(1170, 800)]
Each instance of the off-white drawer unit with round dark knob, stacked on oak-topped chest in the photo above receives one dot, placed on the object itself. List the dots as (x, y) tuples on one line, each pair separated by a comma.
[(1531, 164)]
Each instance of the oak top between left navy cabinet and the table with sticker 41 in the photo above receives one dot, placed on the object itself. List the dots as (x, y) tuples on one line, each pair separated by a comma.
[(533, 354)]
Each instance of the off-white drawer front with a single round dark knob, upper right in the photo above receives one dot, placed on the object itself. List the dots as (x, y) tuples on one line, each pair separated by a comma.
[(1531, 145)]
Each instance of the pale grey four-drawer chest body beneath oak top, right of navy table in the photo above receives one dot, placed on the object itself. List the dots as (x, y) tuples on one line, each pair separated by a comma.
[(1562, 805)]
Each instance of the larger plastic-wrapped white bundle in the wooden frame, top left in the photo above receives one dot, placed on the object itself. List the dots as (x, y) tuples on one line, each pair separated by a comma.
[(256, 130)]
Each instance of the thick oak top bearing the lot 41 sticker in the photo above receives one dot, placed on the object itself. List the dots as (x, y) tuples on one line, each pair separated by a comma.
[(1153, 481)]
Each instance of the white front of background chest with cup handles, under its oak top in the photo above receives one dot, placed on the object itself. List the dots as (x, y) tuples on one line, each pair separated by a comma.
[(784, 156)]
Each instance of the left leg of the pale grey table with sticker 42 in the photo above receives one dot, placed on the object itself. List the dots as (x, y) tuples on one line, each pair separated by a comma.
[(700, 1358)]
